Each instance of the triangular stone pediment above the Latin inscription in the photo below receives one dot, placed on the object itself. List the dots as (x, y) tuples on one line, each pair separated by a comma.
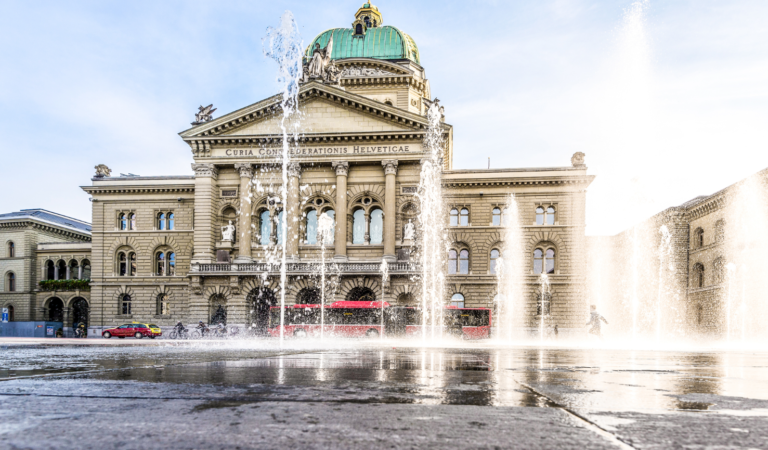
[(325, 109)]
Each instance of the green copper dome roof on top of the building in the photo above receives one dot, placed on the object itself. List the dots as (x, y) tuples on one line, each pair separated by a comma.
[(385, 42)]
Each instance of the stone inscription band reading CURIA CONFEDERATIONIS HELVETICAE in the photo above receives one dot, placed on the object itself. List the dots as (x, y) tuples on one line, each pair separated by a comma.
[(309, 152)]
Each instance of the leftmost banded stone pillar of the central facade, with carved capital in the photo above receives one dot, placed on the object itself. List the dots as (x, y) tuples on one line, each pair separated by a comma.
[(206, 176)]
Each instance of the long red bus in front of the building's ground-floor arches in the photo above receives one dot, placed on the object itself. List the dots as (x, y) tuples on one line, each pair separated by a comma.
[(363, 318)]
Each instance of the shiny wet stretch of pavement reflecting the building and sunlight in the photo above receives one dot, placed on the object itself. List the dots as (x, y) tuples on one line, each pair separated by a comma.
[(580, 379)]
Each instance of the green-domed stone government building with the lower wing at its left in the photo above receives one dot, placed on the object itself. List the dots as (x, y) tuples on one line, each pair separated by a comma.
[(205, 246)]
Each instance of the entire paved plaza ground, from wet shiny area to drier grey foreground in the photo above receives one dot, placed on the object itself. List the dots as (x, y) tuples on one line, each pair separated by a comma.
[(349, 395)]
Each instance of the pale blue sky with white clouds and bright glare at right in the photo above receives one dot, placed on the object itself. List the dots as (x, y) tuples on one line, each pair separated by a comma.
[(667, 99)]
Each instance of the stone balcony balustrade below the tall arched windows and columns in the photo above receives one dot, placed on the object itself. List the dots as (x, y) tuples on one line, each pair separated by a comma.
[(306, 268)]
